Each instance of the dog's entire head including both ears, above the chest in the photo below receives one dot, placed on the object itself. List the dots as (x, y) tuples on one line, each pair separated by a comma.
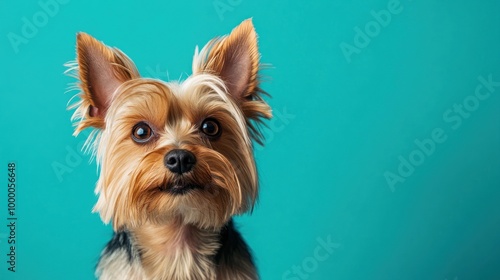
[(173, 150)]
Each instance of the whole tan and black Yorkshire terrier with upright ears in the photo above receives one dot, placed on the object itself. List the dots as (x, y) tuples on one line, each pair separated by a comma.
[(176, 158)]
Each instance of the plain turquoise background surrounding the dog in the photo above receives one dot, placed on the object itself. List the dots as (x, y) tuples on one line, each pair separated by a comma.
[(342, 122)]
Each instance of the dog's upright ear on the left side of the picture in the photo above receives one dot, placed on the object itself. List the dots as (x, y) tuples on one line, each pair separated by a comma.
[(101, 70)]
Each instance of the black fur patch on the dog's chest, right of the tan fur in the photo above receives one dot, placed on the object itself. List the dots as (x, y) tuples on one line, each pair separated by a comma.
[(233, 248)]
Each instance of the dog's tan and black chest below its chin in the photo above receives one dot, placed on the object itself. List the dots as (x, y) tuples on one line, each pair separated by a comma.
[(175, 252)]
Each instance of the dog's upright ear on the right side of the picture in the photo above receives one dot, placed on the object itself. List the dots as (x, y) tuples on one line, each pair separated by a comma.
[(235, 59)]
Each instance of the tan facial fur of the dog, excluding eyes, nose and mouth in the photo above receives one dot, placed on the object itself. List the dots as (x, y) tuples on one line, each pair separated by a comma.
[(129, 195)]
